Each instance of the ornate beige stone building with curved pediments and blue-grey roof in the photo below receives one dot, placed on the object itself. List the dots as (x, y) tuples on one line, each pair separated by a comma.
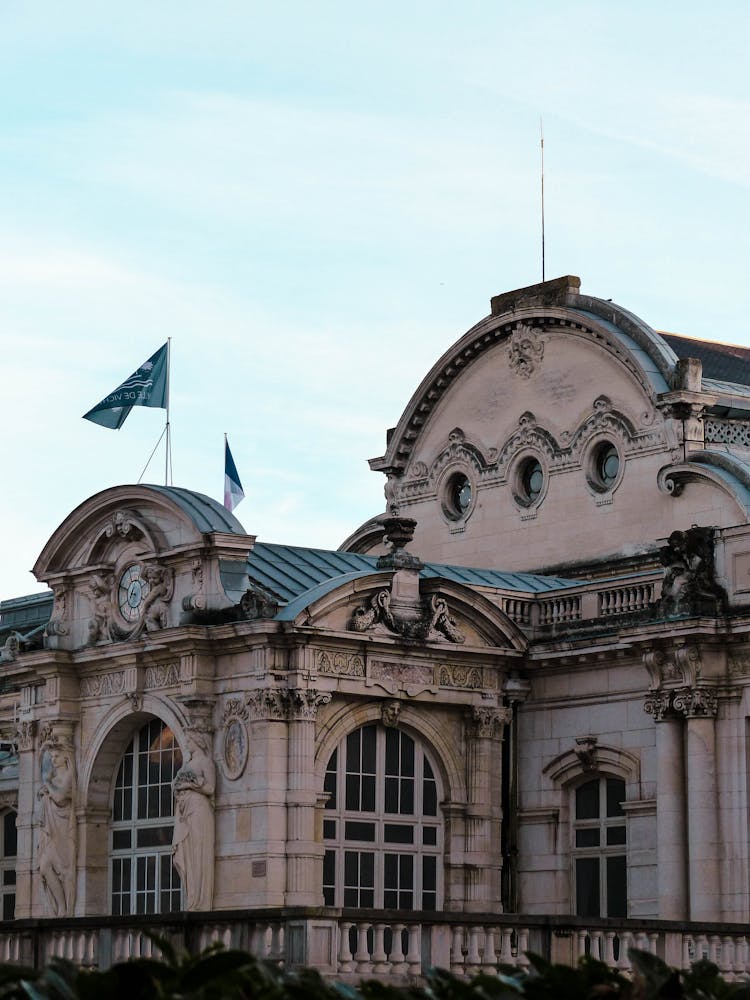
[(524, 688)]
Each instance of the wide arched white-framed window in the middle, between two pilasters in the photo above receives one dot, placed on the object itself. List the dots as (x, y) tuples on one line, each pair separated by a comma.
[(383, 834)]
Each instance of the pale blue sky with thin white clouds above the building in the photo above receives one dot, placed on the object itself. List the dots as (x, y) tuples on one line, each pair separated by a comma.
[(314, 201)]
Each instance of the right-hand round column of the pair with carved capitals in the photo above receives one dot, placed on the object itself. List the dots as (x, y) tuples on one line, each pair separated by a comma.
[(700, 707)]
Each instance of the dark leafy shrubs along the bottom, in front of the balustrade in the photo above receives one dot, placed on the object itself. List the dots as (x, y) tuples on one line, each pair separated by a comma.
[(219, 974)]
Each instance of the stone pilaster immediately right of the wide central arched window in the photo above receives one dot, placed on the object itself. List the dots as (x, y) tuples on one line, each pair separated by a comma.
[(483, 861)]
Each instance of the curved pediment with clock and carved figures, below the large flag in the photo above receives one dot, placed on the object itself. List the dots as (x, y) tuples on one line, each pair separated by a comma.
[(137, 559)]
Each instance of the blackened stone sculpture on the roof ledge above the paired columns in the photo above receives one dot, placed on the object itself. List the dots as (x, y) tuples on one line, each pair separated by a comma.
[(689, 585)]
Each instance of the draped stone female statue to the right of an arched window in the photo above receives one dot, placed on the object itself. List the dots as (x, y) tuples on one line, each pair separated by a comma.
[(193, 842)]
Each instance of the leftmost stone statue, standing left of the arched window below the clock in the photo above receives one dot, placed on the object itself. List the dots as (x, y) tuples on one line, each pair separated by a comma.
[(57, 827)]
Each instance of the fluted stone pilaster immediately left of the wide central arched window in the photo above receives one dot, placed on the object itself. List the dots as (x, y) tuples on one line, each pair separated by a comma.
[(304, 853)]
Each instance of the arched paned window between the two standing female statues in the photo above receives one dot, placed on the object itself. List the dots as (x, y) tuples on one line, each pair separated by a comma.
[(143, 878)]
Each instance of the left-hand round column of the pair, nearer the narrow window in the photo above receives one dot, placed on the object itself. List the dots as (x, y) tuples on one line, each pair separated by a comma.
[(671, 841)]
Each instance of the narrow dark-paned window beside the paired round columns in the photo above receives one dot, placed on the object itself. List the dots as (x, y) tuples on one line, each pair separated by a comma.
[(599, 848)]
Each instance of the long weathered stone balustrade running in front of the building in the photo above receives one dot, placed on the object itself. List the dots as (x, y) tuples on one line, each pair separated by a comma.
[(350, 945)]
